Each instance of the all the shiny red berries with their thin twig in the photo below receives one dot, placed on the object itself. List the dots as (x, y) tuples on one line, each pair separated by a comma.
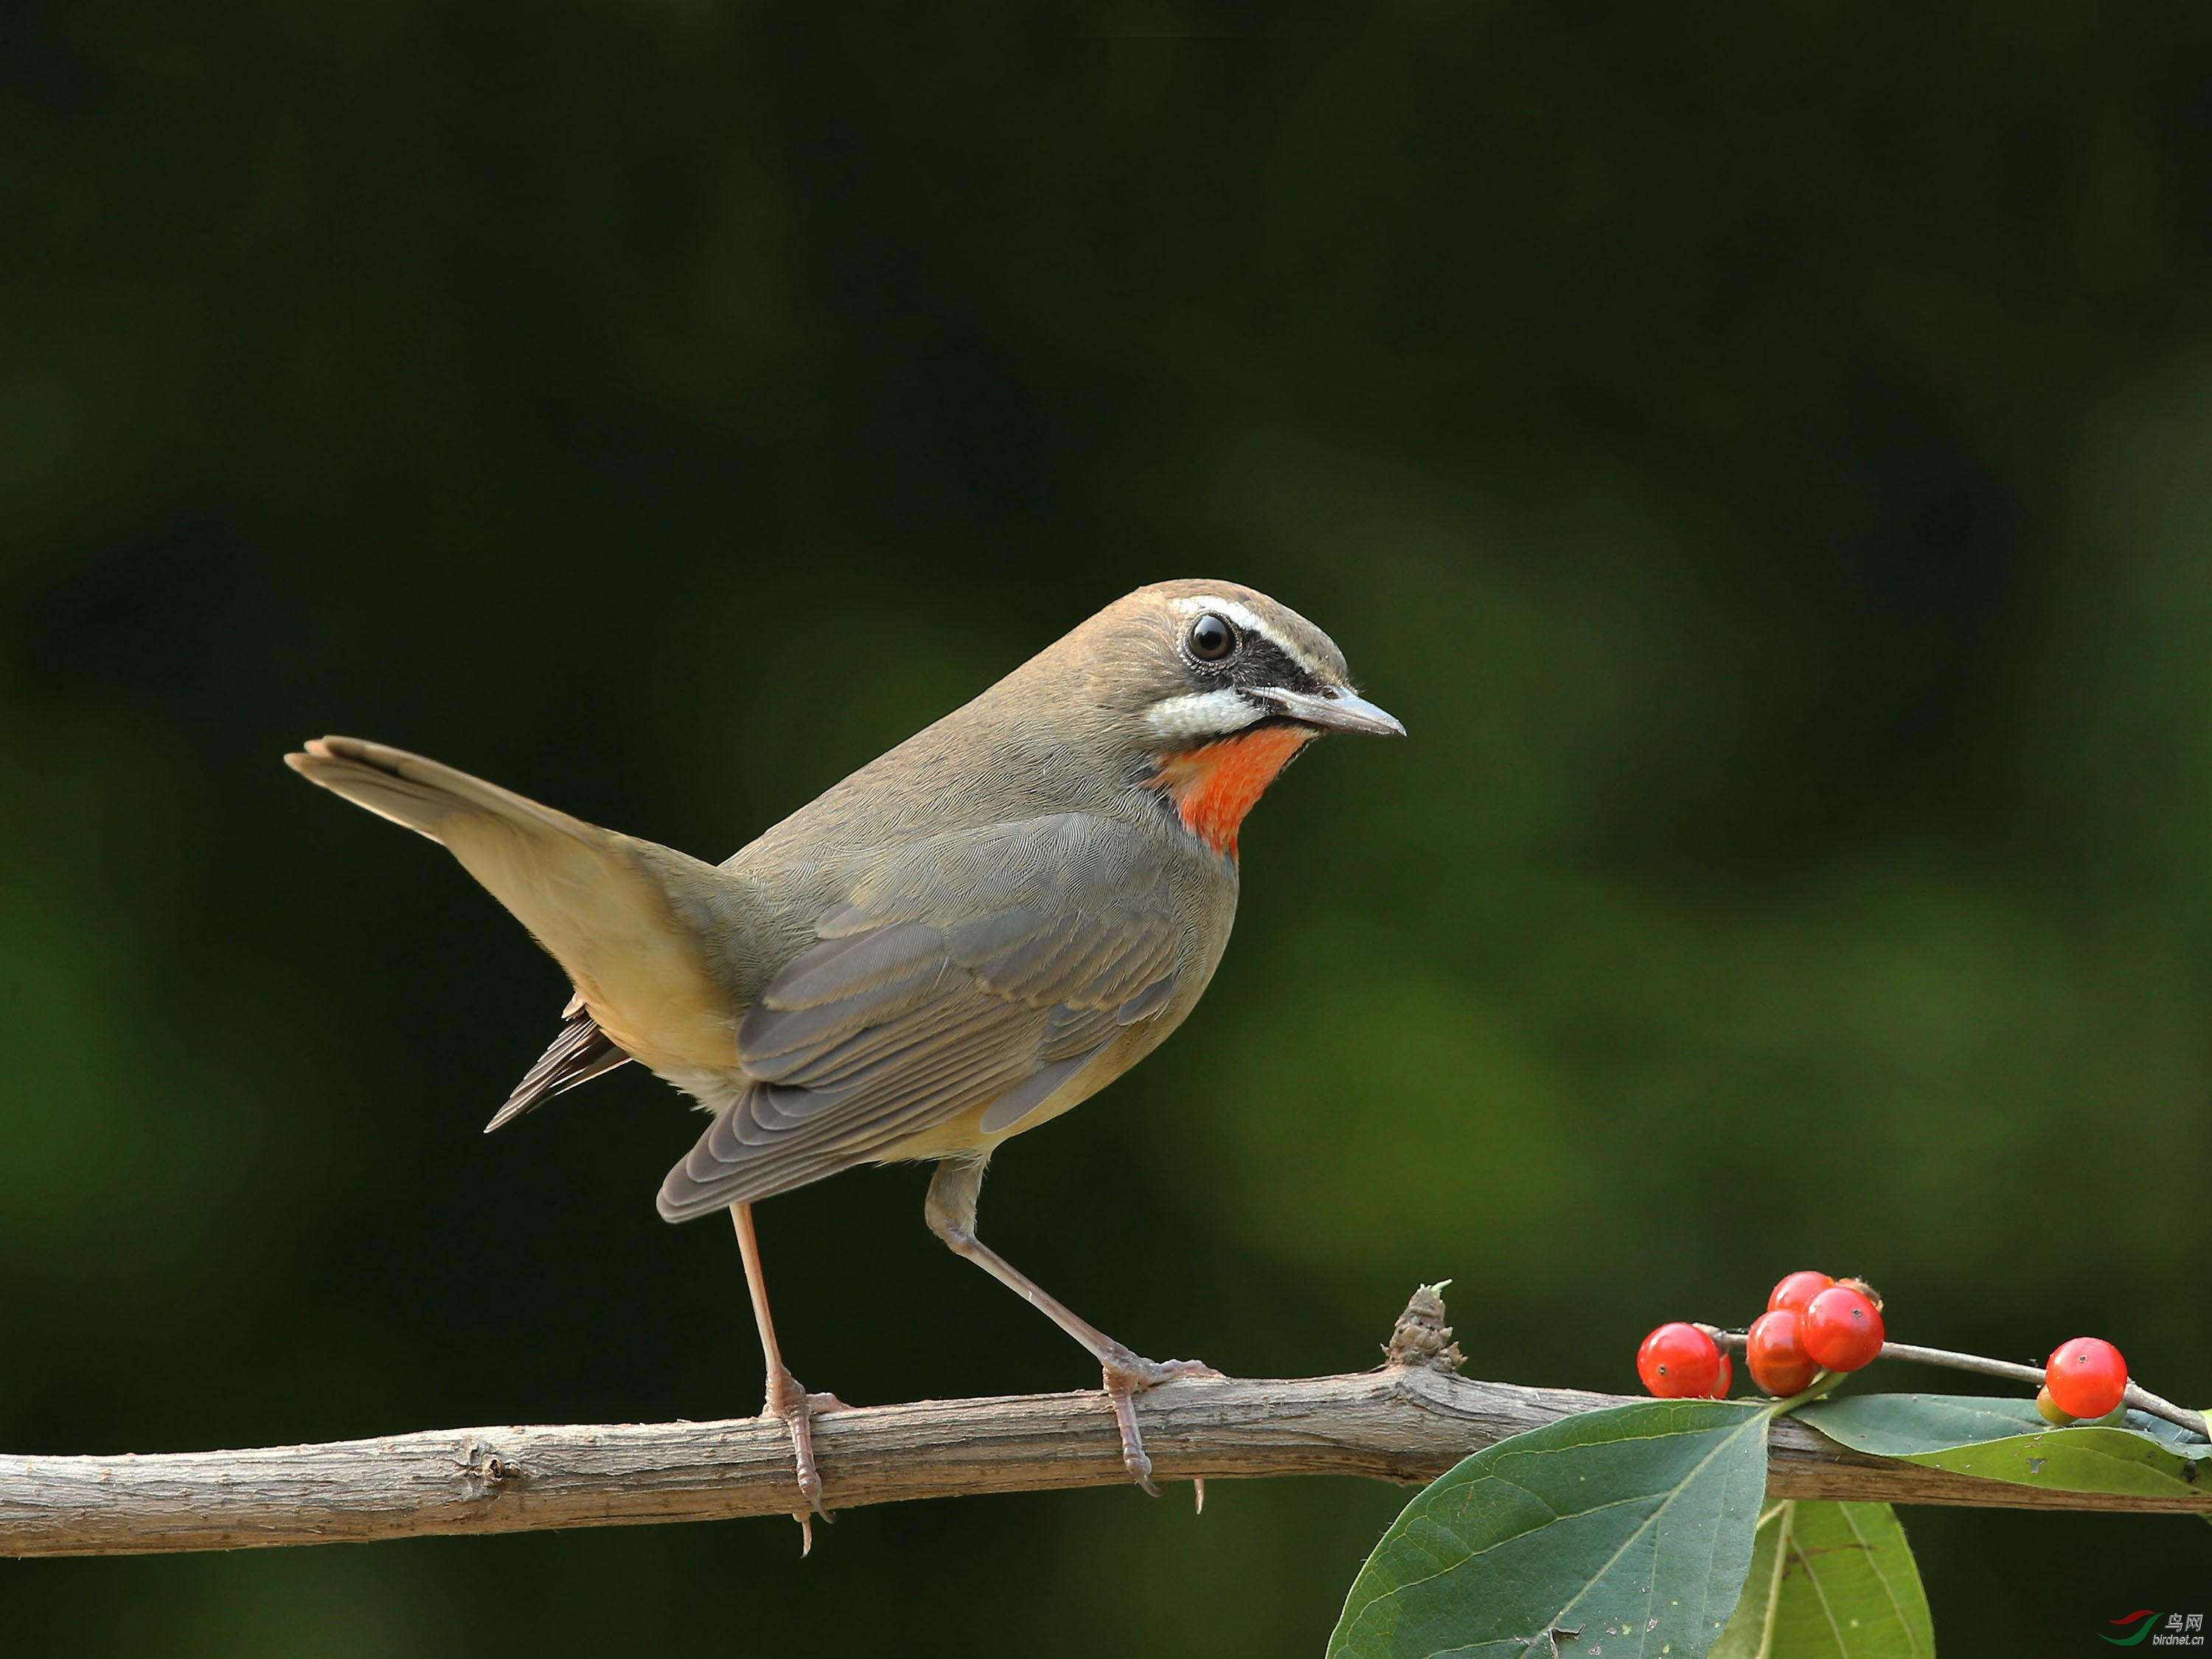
[(1817, 1326)]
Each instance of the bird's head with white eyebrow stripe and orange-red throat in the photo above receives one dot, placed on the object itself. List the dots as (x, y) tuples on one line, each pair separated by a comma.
[(1209, 691)]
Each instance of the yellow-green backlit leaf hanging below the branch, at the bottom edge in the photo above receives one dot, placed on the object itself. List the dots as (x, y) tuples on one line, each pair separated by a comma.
[(1830, 1583)]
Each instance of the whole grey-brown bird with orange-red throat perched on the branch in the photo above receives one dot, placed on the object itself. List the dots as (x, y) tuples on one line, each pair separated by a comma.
[(961, 941)]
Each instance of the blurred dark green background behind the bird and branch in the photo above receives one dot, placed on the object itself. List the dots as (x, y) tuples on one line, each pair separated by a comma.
[(1764, 457)]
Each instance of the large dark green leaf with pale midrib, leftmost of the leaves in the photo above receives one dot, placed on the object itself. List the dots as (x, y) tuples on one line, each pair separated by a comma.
[(1614, 1534)]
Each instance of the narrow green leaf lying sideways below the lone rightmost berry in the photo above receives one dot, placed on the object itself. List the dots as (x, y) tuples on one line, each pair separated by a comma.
[(2010, 1441)]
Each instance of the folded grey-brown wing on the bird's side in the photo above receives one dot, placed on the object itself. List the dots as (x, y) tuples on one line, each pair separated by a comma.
[(977, 970)]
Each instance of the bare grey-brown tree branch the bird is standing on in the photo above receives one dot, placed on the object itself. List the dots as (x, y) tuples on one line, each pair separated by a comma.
[(1408, 1423)]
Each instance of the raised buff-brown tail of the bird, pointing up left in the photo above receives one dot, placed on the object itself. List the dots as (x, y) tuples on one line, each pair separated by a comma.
[(616, 912)]
